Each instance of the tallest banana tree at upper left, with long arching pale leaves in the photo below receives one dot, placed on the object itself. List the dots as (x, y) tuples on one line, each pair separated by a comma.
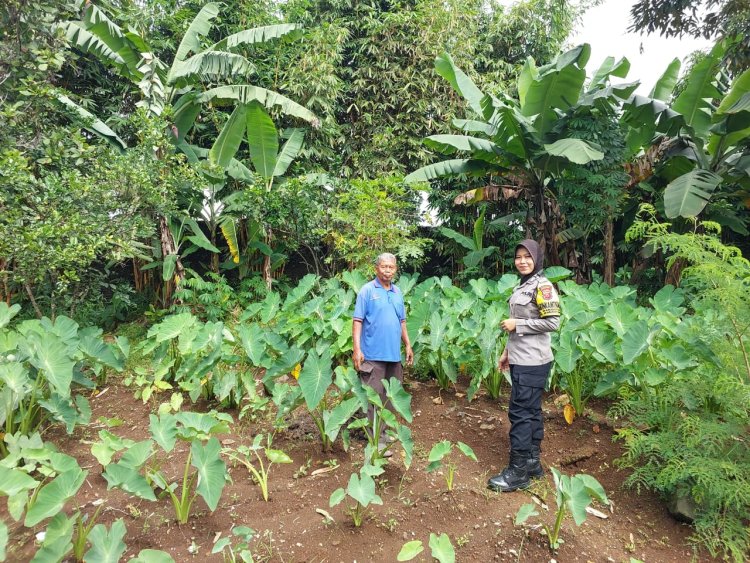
[(177, 83)]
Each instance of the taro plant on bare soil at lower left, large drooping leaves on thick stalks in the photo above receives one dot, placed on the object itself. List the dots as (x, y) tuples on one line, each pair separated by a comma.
[(134, 473)]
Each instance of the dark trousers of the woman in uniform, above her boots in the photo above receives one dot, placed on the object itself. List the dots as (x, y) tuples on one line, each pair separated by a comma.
[(525, 409)]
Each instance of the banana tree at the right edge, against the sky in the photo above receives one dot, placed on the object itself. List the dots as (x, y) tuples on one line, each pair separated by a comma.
[(701, 153)]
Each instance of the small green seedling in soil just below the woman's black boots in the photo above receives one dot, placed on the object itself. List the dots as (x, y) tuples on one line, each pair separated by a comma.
[(573, 495)]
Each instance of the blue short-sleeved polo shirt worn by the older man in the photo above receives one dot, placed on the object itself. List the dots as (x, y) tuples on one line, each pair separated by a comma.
[(381, 312)]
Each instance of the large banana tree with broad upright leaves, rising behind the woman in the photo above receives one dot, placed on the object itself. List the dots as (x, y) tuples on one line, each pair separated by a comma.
[(521, 144)]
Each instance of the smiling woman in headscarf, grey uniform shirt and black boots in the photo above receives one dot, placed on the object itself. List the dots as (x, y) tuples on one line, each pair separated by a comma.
[(534, 313)]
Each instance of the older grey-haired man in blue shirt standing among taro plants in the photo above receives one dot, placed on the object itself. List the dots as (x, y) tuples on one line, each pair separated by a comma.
[(378, 328)]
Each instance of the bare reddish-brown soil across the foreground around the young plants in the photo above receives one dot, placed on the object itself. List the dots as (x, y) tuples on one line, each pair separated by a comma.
[(416, 503)]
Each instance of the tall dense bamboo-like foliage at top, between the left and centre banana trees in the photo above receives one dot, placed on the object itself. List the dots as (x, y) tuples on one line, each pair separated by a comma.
[(379, 85)]
